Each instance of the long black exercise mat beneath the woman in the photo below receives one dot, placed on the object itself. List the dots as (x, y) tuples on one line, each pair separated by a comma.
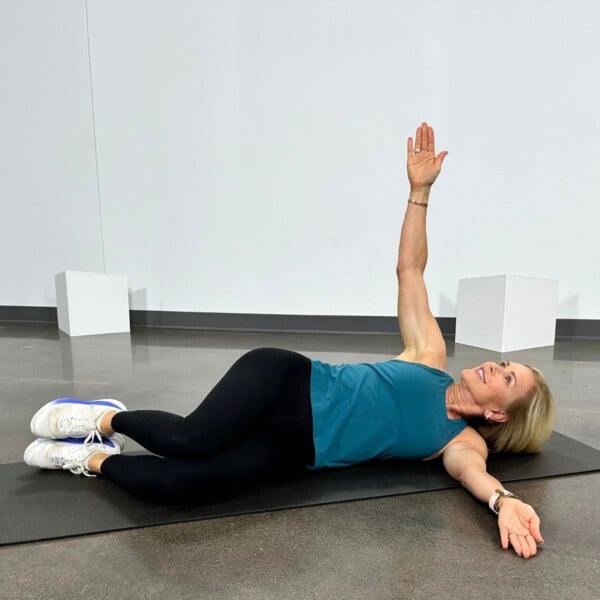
[(42, 505)]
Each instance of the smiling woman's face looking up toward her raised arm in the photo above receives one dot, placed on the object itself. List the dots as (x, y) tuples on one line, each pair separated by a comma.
[(495, 385)]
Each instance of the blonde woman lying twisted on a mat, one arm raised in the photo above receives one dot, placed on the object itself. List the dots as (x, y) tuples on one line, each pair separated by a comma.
[(276, 411)]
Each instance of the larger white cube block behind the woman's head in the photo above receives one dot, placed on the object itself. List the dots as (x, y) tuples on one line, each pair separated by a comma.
[(505, 313)]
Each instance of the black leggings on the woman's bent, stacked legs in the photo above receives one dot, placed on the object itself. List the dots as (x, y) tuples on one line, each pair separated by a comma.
[(255, 423)]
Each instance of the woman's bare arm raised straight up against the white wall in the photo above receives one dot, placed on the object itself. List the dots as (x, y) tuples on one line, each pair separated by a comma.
[(420, 332)]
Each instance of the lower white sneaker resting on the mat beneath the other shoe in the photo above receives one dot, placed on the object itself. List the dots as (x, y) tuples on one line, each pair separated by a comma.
[(69, 454)]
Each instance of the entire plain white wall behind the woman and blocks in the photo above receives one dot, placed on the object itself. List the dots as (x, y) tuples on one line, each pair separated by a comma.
[(250, 153)]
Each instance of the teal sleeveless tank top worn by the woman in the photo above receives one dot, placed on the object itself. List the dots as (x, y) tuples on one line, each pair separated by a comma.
[(391, 409)]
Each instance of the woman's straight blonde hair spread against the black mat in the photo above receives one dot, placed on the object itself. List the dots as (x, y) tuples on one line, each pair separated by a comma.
[(530, 421)]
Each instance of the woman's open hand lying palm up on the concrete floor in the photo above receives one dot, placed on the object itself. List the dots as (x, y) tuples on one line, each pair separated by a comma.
[(519, 526)]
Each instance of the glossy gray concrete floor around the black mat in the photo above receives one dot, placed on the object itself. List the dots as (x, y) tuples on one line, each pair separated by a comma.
[(432, 545)]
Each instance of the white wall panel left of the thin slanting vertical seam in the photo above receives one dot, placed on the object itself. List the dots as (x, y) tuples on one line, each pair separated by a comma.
[(49, 210)]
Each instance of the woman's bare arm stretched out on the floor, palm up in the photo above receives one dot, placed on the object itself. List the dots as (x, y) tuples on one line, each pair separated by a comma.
[(518, 522)]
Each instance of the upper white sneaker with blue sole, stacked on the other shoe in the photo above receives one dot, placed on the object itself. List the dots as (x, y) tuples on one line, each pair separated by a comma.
[(72, 418)]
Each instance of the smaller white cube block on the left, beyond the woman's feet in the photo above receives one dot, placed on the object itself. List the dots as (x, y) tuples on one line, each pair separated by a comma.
[(92, 303)]
